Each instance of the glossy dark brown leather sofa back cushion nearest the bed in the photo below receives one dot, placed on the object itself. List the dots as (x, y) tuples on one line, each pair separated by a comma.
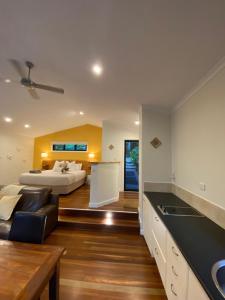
[(33, 198)]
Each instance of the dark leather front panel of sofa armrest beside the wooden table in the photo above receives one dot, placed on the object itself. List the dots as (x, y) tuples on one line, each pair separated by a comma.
[(28, 227)]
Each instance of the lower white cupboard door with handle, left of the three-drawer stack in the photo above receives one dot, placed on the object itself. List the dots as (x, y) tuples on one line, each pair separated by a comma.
[(160, 259)]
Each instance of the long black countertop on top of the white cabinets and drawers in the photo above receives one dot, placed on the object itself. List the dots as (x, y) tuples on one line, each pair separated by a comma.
[(201, 241)]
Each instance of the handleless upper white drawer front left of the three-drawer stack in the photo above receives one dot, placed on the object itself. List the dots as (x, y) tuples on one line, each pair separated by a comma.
[(160, 232)]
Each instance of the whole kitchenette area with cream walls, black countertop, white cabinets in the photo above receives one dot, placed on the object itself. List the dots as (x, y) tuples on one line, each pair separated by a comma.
[(182, 195)]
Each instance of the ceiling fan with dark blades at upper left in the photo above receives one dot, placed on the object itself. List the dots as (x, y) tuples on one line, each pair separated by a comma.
[(27, 82)]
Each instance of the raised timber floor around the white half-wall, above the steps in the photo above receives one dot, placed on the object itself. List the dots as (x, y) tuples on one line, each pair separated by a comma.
[(128, 201)]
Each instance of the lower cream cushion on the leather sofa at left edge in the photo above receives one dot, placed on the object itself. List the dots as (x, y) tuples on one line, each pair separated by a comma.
[(7, 205)]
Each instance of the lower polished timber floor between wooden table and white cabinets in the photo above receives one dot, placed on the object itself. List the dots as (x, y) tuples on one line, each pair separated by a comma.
[(105, 265)]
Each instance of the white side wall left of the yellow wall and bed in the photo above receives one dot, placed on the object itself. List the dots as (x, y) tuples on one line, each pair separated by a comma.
[(16, 156)]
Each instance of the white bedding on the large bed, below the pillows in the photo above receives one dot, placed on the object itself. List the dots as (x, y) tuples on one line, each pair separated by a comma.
[(51, 178)]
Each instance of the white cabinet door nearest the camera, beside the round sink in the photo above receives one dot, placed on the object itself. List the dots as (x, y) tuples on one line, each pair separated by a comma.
[(195, 290)]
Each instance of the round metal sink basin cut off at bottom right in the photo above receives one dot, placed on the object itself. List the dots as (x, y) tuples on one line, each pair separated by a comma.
[(218, 275)]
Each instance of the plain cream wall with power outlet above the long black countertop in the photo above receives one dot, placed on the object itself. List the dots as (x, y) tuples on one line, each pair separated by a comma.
[(198, 135)]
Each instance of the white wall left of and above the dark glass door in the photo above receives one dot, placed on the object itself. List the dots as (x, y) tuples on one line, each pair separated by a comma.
[(115, 133)]
